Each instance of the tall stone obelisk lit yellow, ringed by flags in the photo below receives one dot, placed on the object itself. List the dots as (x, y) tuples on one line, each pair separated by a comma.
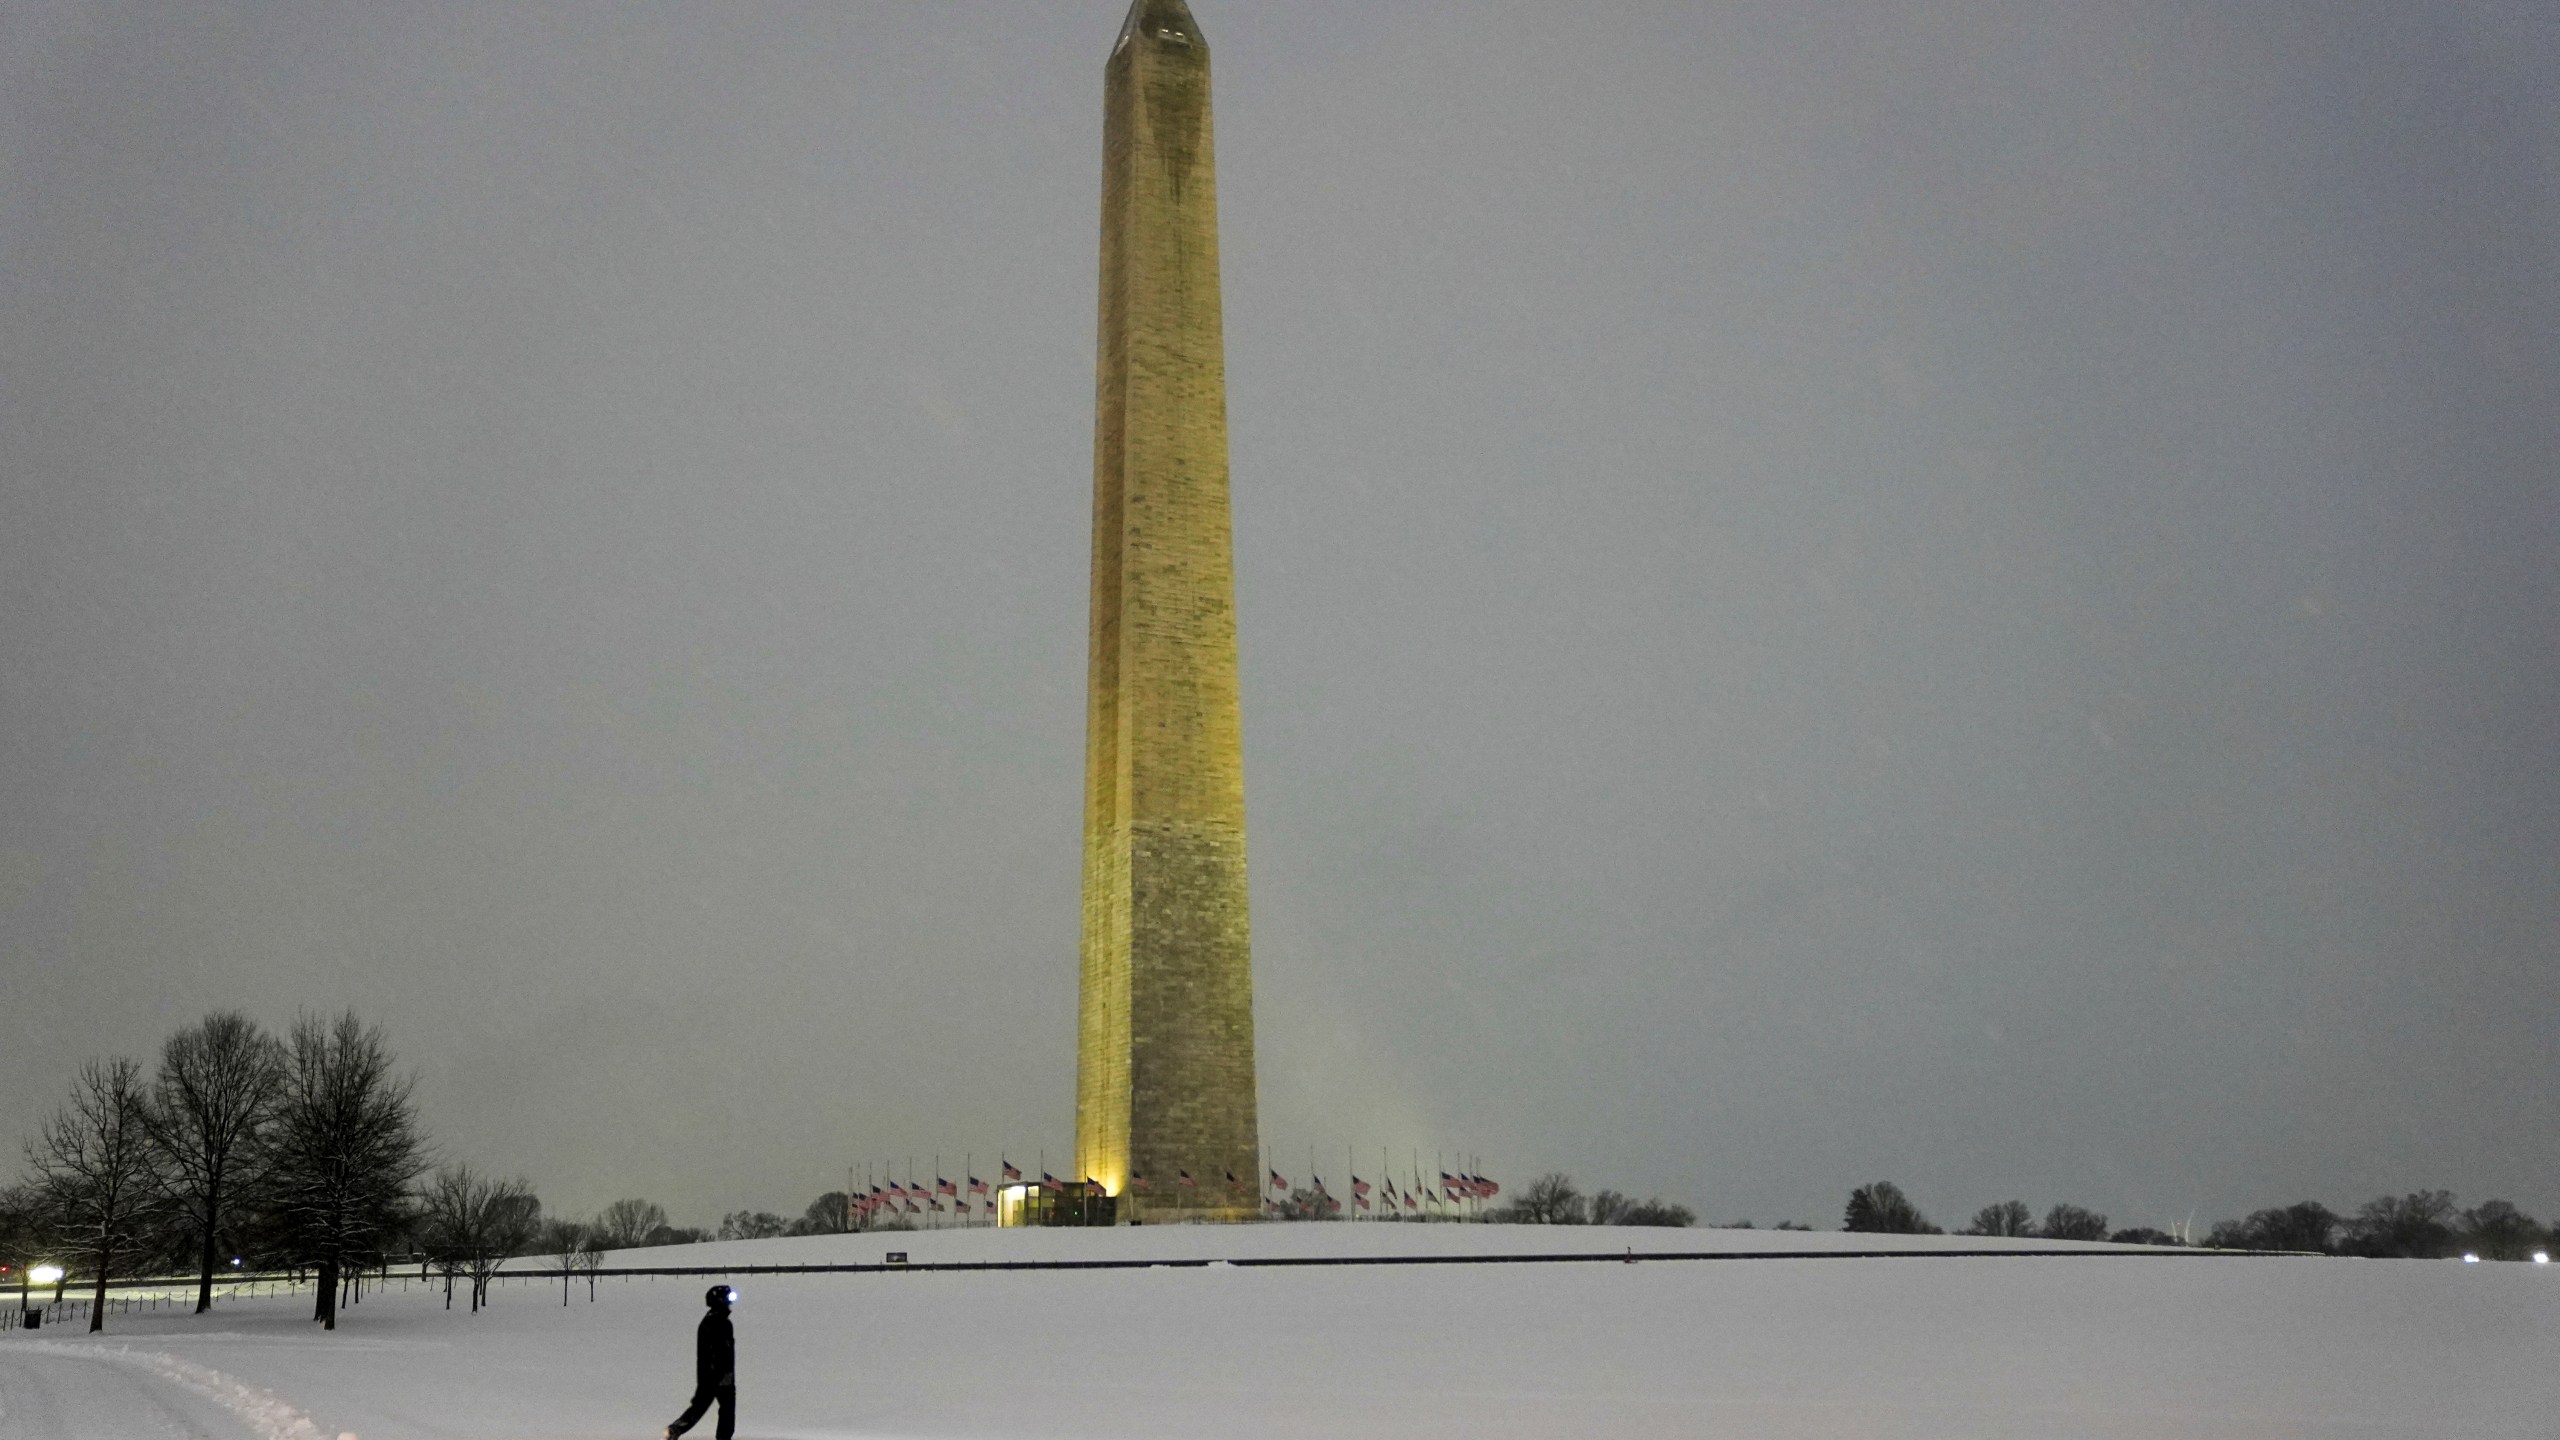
[(1166, 1044)]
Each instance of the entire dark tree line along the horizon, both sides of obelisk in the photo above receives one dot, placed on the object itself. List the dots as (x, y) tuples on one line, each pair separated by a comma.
[(306, 1154)]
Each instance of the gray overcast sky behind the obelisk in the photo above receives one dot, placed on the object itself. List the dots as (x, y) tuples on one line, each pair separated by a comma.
[(1957, 593)]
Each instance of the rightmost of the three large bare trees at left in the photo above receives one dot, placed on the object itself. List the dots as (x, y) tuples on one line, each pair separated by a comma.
[(344, 1149)]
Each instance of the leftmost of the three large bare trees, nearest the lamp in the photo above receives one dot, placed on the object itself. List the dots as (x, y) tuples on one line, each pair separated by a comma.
[(99, 1172)]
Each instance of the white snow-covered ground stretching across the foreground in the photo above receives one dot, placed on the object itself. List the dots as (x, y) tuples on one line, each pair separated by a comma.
[(1921, 1349)]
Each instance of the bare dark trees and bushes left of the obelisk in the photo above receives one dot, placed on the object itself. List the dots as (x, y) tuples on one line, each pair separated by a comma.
[(247, 1152)]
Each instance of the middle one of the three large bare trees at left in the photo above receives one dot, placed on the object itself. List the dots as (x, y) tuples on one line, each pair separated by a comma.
[(219, 1088)]
